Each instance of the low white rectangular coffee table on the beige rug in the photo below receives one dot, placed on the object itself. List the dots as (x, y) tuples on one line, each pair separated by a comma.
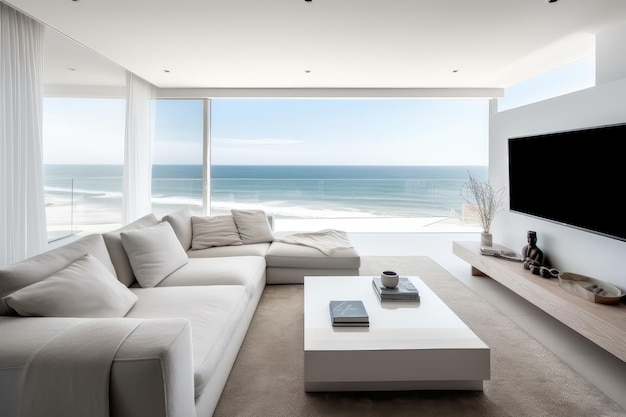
[(408, 346)]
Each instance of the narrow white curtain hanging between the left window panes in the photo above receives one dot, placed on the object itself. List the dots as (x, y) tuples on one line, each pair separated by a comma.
[(138, 148)]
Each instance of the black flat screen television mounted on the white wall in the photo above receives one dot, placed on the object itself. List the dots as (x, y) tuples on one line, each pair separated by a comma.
[(574, 178)]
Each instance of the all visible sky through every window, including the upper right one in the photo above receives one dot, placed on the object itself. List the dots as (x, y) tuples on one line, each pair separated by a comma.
[(299, 131)]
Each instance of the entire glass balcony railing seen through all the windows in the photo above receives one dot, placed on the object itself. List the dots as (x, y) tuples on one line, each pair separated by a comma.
[(95, 204)]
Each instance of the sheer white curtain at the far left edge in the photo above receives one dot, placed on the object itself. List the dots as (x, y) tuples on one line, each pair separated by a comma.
[(22, 210)]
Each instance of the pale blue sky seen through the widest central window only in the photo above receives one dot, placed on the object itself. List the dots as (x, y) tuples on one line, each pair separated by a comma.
[(350, 132)]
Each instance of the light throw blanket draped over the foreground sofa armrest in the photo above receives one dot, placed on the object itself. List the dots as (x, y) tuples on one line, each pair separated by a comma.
[(69, 376)]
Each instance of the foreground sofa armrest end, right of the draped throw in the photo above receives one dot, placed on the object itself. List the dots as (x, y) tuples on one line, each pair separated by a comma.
[(152, 373)]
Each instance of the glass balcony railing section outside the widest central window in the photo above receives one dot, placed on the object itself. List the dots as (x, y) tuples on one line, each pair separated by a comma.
[(340, 198)]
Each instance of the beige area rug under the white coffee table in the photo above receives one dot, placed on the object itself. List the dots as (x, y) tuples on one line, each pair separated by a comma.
[(526, 378)]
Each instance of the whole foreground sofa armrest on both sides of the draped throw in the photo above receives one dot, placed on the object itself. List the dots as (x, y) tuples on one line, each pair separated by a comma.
[(151, 374)]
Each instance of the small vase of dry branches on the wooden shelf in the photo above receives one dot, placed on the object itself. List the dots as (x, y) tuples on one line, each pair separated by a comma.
[(488, 203)]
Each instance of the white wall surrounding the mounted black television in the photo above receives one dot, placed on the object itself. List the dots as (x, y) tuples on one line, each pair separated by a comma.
[(568, 249)]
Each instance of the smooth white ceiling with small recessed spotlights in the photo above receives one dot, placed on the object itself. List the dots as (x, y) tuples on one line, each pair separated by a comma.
[(321, 43)]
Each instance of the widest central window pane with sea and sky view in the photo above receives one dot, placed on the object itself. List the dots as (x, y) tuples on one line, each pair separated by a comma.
[(346, 158)]
